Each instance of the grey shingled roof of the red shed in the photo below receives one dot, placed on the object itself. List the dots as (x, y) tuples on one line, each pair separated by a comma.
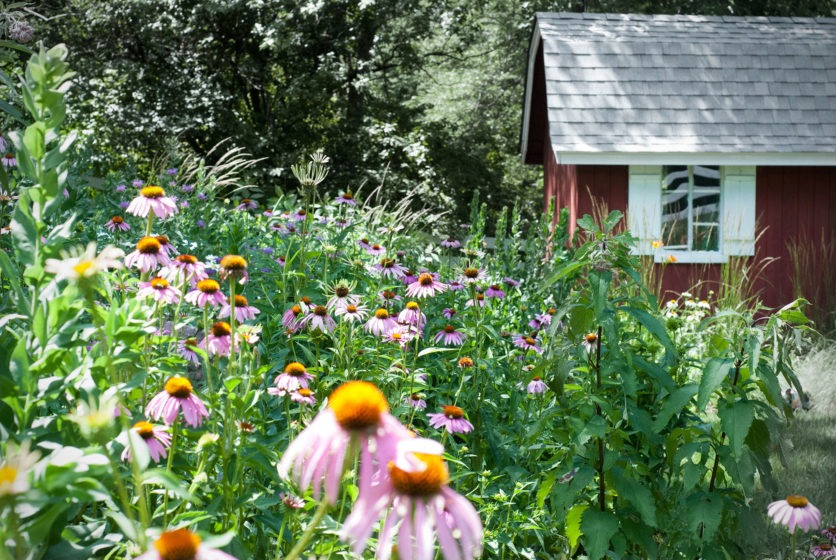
[(650, 89)]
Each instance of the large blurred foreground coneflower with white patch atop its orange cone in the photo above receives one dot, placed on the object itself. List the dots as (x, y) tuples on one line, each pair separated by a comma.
[(421, 509)]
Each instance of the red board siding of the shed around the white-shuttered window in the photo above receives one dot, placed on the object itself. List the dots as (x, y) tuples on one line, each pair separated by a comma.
[(793, 203)]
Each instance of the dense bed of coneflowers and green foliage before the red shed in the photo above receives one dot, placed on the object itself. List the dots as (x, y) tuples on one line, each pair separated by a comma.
[(577, 416)]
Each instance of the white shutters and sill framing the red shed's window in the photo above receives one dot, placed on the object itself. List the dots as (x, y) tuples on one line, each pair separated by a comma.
[(737, 213)]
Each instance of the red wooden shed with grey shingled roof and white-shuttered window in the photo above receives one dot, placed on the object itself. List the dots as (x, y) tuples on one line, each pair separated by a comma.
[(715, 135)]
